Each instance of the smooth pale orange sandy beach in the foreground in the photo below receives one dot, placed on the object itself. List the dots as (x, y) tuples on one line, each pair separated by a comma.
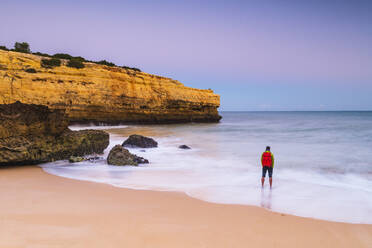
[(42, 210)]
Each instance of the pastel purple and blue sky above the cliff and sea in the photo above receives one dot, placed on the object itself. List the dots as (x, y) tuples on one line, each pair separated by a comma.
[(258, 55)]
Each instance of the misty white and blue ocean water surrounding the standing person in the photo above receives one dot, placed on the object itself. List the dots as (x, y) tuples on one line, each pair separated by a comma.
[(323, 162)]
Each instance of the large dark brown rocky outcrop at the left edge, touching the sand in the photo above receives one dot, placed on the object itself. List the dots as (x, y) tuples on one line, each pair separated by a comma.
[(32, 134)]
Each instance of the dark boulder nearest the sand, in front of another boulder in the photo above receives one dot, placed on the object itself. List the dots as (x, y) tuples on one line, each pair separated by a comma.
[(121, 156)]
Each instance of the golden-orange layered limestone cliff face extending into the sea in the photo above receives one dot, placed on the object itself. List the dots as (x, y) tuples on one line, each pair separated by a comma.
[(100, 93)]
